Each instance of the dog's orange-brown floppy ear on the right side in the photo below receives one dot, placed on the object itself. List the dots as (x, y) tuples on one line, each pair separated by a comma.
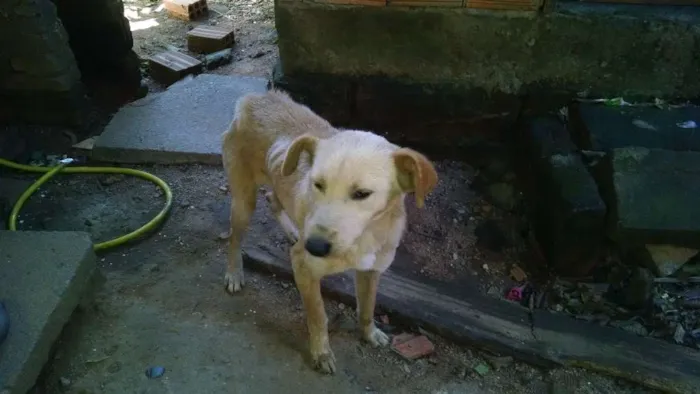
[(415, 174)]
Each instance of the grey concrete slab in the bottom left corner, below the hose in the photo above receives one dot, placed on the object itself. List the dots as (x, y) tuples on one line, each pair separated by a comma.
[(43, 277)]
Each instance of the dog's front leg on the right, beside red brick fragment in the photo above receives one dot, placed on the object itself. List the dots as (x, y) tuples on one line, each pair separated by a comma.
[(366, 284)]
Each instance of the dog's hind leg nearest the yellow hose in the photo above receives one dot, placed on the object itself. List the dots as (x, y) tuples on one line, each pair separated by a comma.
[(242, 186)]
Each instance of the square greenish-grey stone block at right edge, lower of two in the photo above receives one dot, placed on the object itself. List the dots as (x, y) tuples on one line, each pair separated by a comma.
[(656, 197)]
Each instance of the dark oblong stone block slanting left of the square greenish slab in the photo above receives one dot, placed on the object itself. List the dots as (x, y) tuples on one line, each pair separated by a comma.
[(568, 215)]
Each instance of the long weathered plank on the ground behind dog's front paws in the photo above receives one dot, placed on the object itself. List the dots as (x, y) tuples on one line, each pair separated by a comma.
[(545, 339)]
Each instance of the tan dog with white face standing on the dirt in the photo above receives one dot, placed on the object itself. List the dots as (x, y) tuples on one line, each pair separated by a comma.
[(339, 196)]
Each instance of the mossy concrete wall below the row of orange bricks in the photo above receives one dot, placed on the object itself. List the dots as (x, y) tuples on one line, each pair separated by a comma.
[(599, 50)]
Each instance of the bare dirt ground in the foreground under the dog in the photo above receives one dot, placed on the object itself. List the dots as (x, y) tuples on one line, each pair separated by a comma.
[(163, 304)]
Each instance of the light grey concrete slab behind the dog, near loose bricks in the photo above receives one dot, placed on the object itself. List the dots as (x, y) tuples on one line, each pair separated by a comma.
[(181, 125)]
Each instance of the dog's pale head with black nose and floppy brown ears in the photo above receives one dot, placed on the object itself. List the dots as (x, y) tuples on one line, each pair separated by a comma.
[(354, 177)]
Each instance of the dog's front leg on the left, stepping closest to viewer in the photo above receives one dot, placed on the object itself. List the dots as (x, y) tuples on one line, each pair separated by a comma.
[(316, 320)]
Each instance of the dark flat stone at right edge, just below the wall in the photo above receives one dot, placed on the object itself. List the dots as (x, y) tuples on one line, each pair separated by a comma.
[(604, 128)]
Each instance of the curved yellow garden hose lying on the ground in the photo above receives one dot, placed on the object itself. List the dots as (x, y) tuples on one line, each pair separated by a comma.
[(51, 171)]
